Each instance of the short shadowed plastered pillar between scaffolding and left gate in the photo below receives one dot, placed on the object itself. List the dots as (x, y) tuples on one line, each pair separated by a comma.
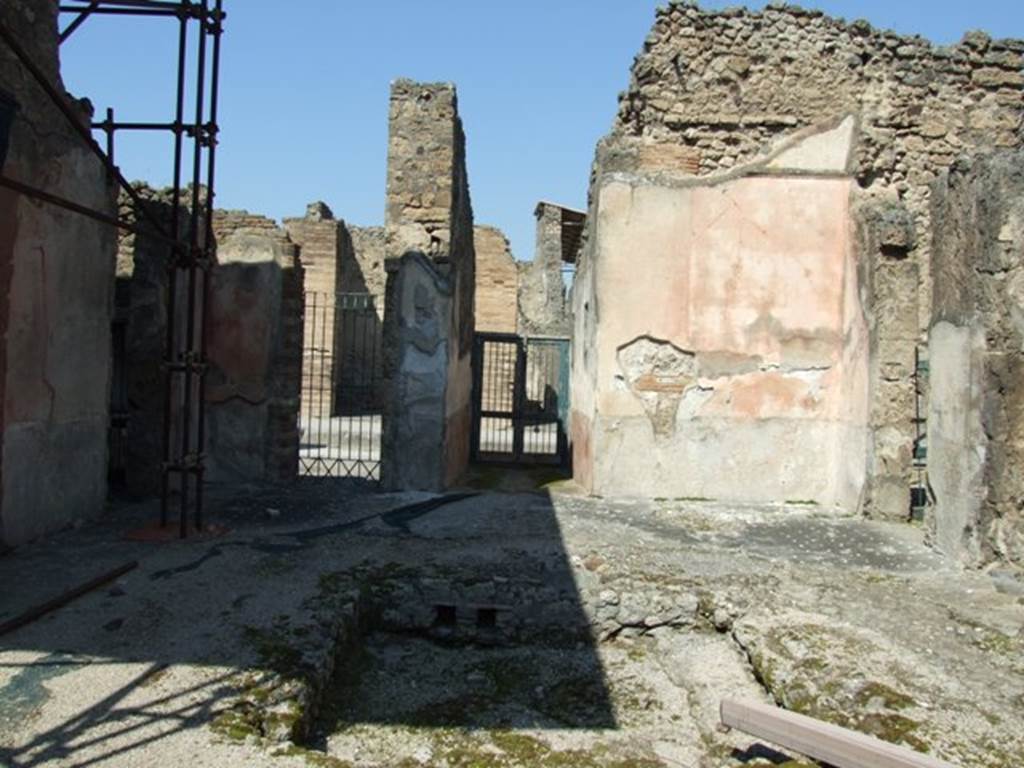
[(254, 349)]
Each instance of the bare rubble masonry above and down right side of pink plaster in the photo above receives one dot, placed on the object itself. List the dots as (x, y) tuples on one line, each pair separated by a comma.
[(712, 92)]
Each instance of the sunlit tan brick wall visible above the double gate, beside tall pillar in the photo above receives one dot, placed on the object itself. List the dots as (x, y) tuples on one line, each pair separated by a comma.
[(497, 282)]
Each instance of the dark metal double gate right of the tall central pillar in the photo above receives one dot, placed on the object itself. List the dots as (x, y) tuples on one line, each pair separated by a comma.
[(521, 399)]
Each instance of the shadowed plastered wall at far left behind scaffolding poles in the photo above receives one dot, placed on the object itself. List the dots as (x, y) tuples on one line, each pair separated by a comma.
[(57, 302)]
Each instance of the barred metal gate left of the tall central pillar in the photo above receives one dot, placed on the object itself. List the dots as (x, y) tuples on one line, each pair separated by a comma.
[(343, 394)]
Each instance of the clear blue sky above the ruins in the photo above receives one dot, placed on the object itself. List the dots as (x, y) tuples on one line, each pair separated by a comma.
[(306, 91)]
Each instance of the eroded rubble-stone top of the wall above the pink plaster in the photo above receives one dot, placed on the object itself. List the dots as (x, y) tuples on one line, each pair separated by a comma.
[(723, 86)]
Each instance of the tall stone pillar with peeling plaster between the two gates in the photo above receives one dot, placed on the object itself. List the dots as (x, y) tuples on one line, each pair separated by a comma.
[(429, 319)]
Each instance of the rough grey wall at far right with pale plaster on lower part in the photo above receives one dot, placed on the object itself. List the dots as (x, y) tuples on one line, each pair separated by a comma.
[(976, 419)]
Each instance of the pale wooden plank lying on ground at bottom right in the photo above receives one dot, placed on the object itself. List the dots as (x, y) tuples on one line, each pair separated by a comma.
[(830, 744)]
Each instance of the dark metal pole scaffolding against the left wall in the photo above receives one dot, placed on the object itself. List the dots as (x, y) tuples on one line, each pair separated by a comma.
[(190, 236)]
